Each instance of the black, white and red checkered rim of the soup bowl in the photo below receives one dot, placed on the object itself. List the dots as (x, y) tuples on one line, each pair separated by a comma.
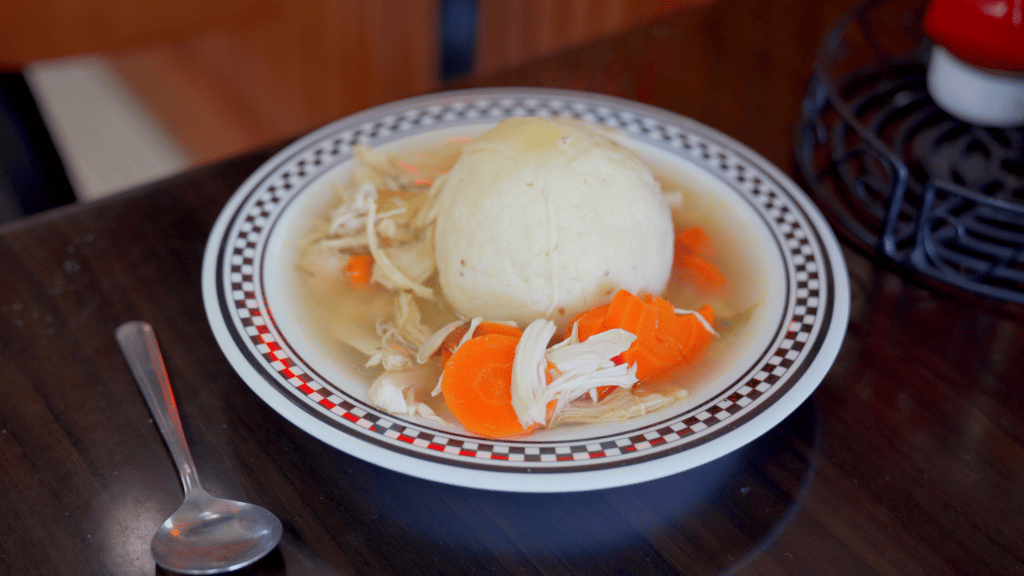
[(779, 368)]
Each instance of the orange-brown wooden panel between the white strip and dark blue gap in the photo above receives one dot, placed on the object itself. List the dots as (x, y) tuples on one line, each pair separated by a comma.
[(298, 66)]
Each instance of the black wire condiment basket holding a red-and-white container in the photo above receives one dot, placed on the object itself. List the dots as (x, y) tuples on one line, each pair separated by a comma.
[(898, 176)]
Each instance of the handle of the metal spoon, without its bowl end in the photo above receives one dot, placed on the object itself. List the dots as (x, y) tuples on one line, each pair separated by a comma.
[(139, 344)]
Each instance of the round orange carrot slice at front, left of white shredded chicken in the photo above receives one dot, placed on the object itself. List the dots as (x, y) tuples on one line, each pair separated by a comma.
[(478, 387)]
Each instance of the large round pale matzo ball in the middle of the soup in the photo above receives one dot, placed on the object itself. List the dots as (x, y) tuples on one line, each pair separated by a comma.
[(545, 219)]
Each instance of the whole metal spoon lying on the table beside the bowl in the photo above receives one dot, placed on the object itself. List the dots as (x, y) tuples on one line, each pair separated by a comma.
[(206, 536)]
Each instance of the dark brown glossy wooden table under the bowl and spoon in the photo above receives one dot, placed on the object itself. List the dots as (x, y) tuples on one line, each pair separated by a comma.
[(909, 460)]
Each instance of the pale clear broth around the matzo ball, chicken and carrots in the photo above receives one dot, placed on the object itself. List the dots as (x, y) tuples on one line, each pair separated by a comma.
[(345, 320)]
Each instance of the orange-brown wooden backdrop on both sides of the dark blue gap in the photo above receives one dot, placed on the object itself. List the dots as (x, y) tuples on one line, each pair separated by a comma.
[(227, 76)]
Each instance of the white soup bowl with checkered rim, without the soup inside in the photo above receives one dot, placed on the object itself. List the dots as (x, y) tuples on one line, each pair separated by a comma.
[(251, 302)]
